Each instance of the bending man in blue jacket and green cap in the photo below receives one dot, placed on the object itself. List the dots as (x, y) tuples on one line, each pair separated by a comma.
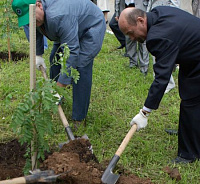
[(81, 25)]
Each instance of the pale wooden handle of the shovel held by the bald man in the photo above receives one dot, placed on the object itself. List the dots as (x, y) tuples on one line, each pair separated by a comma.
[(126, 140)]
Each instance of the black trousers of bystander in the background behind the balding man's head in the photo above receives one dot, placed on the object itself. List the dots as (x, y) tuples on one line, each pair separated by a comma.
[(115, 29)]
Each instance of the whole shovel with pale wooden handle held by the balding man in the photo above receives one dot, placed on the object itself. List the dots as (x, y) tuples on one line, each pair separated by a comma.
[(108, 176)]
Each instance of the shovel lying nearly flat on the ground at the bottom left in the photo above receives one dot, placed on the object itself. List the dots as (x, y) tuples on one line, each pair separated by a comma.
[(37, 176)]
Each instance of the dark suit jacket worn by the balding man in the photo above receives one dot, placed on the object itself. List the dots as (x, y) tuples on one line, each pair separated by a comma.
[(173, 37)]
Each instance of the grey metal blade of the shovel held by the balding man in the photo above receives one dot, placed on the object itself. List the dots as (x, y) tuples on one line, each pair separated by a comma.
[(108, 176)]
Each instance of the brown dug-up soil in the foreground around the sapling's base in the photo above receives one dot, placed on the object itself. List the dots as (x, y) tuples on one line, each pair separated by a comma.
[(75, 163)]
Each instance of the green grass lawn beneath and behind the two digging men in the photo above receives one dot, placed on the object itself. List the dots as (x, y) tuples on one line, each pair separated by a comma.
[(118, 93)]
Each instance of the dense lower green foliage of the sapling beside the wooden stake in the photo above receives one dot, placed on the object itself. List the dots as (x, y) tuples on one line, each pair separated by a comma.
[(32, 119)]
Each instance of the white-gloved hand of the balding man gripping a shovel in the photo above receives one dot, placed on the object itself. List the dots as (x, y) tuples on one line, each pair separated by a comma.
[(140, 119)]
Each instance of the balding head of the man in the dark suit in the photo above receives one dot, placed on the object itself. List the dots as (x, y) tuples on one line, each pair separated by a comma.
[(133, 22)]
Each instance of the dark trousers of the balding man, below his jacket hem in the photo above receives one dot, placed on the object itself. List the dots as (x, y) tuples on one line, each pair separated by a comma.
[(189, 129)]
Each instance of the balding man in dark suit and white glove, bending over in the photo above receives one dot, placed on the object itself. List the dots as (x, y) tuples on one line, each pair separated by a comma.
[(172, 36)]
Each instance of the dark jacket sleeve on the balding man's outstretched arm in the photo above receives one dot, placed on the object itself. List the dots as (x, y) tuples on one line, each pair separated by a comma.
[(165, 52)]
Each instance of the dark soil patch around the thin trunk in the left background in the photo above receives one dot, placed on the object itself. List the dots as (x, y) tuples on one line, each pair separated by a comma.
[(15, 56)]
